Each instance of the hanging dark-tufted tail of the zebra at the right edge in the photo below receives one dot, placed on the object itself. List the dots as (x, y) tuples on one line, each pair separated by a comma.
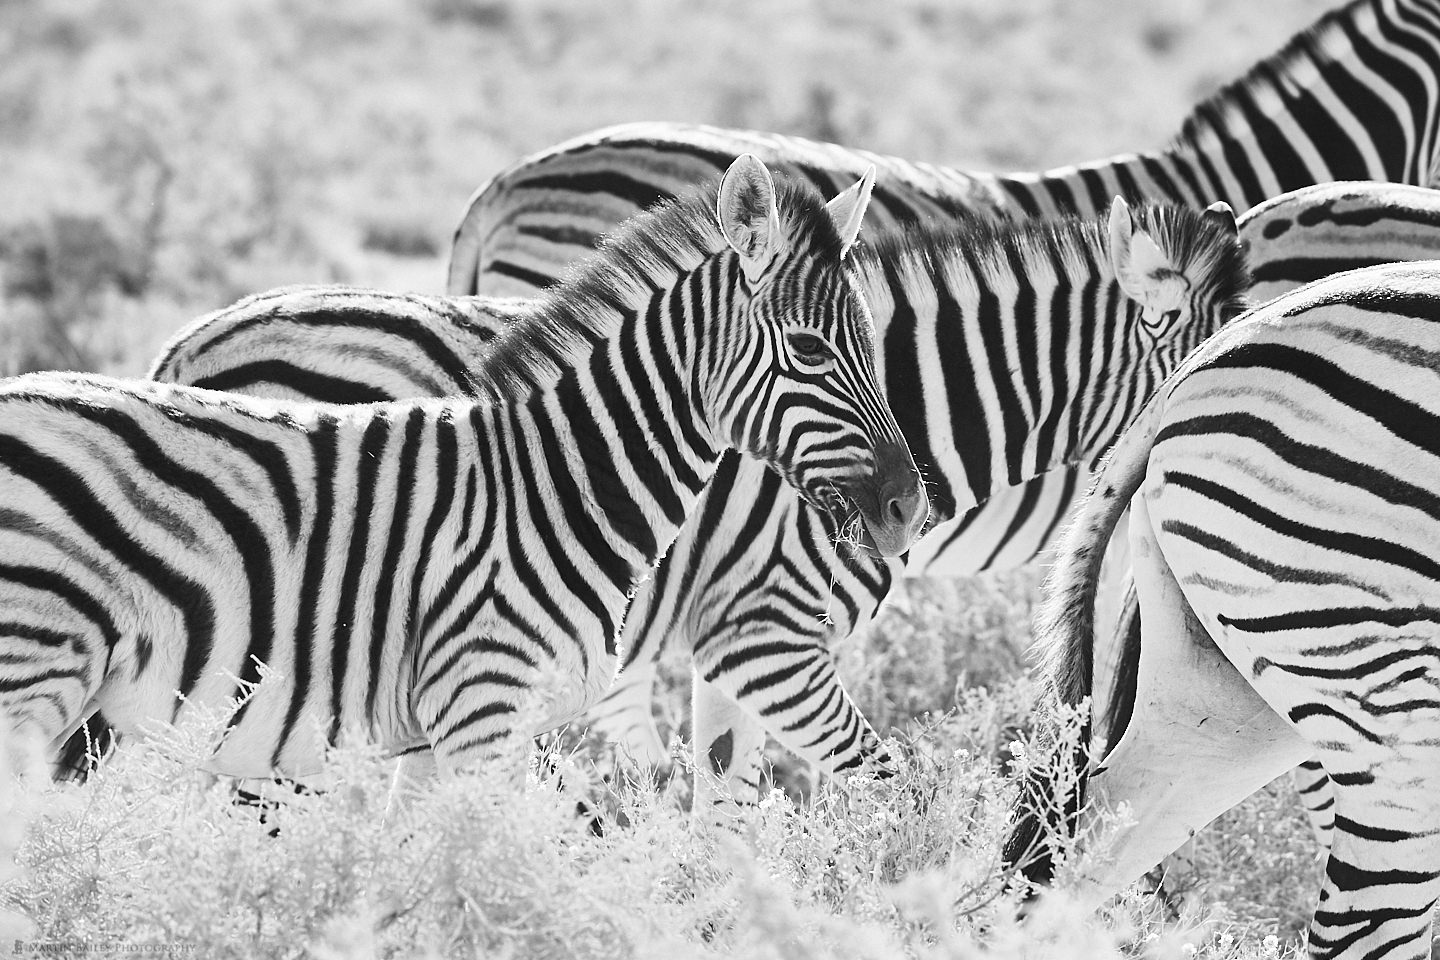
[(1053, 785)]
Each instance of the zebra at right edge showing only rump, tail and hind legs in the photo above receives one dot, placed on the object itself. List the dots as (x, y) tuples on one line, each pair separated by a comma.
[(1284, 530)]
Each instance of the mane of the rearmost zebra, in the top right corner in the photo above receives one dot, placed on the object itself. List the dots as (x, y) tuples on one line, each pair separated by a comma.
[(1324, 41)]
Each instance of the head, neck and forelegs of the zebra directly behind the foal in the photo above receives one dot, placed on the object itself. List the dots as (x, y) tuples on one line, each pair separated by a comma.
[(1010, 352)]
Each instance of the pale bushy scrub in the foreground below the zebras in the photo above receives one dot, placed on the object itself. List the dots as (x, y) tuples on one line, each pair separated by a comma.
[(155, 851)]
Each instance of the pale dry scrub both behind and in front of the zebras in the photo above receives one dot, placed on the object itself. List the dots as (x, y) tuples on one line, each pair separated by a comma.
[(163, 158)]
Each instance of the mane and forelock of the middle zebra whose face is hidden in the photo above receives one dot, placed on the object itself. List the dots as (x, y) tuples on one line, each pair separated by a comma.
[(976, 254)]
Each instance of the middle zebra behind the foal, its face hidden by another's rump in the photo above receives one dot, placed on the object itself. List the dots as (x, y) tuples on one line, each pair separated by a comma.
[(1134, 293)]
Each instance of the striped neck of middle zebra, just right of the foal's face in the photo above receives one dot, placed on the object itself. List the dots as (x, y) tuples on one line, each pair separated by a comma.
[(1000, 359)]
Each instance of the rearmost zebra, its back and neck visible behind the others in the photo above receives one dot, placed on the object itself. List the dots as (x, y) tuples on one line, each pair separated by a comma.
[(1353, 97)]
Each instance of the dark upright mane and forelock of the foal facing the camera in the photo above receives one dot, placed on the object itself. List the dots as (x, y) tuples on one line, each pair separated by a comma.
[(643, 255)]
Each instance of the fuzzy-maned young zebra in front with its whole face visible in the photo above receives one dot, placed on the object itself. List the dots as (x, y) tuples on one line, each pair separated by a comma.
[(423, 574)]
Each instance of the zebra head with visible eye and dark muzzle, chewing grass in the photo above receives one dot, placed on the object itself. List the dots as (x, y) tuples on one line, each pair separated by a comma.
[(794, 379)]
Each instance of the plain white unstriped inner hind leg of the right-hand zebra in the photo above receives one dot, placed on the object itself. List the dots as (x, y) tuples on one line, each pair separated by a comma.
[(1199, 742)]
